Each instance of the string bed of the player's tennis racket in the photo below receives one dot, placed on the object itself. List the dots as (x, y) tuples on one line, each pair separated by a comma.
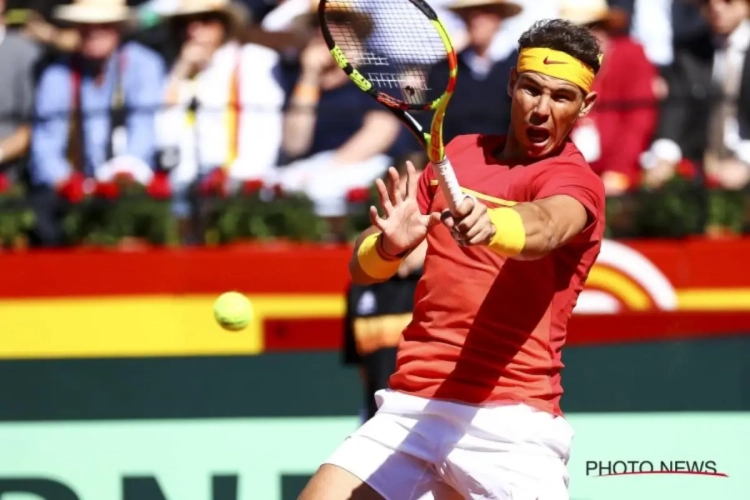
[(394, 44)]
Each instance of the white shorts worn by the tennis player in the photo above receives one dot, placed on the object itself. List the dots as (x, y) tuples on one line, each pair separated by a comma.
[(415, 447)]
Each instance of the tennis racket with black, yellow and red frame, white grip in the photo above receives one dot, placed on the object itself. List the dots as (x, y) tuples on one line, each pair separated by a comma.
[(392, 64)]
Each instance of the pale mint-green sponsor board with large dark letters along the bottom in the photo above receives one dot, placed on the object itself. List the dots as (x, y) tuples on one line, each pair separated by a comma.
[(253, 459)]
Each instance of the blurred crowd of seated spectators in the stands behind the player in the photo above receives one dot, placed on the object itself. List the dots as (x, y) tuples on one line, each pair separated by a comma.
[(177, 95)]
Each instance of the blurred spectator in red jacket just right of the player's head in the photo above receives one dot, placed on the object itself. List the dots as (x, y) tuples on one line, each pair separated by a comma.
[(622, 123)]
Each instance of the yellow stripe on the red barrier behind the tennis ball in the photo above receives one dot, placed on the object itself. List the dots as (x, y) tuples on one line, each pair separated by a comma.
[(143, 326)]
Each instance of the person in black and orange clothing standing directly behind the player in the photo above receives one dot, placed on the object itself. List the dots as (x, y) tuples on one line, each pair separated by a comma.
[(376, 315)]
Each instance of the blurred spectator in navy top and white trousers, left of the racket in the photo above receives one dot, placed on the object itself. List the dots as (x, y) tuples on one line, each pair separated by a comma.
[(339, 134)]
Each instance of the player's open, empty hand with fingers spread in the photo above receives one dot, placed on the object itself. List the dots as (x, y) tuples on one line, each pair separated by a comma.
[(403, 225)]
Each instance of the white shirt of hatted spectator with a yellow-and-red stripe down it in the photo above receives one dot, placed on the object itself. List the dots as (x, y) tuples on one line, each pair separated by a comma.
[(208, 142)]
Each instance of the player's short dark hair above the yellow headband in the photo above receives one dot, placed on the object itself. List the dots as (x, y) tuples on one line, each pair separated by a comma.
[(564, 36)]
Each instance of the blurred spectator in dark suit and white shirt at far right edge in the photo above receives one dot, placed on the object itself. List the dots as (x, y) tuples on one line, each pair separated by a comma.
[(714, 85)]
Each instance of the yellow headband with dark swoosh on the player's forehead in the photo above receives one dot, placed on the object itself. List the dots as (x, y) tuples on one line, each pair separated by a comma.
[(557, 65)]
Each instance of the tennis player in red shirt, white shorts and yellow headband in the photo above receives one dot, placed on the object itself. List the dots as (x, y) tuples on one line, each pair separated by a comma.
[(473, 410)]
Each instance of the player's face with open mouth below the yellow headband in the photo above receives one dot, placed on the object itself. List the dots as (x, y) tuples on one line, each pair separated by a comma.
[(544, 110)]
